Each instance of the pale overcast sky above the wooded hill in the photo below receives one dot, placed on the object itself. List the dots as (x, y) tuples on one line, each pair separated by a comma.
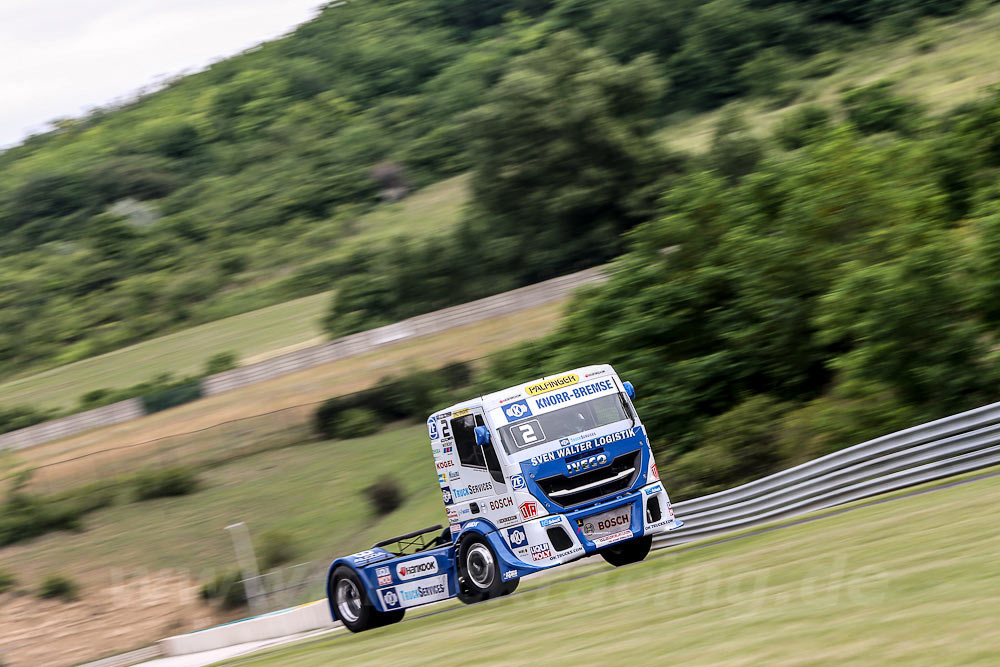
[(61, 58)]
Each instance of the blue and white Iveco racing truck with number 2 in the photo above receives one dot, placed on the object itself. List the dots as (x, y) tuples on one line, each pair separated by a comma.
[(534, 476)]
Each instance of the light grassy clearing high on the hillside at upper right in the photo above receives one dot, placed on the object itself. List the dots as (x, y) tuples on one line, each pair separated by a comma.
[(945, 64)]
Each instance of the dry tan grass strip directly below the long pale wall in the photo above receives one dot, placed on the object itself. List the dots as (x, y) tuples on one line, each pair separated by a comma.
[(294, 395)]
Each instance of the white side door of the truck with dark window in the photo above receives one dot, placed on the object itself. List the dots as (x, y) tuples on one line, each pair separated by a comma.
[(481, 476)]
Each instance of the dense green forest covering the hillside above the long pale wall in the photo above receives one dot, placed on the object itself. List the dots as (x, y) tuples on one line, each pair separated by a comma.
[(240, 186)]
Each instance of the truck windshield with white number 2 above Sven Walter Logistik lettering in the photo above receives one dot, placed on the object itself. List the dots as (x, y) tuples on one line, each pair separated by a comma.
[(563, 423)]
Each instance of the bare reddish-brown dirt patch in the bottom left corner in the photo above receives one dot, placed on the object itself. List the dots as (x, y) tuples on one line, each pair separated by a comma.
[(123, 615)]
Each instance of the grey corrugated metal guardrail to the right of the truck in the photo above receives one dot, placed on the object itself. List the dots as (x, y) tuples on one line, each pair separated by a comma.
[(949, 446)]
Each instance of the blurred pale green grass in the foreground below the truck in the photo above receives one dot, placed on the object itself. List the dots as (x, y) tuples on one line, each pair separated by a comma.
[(904, 582)]
